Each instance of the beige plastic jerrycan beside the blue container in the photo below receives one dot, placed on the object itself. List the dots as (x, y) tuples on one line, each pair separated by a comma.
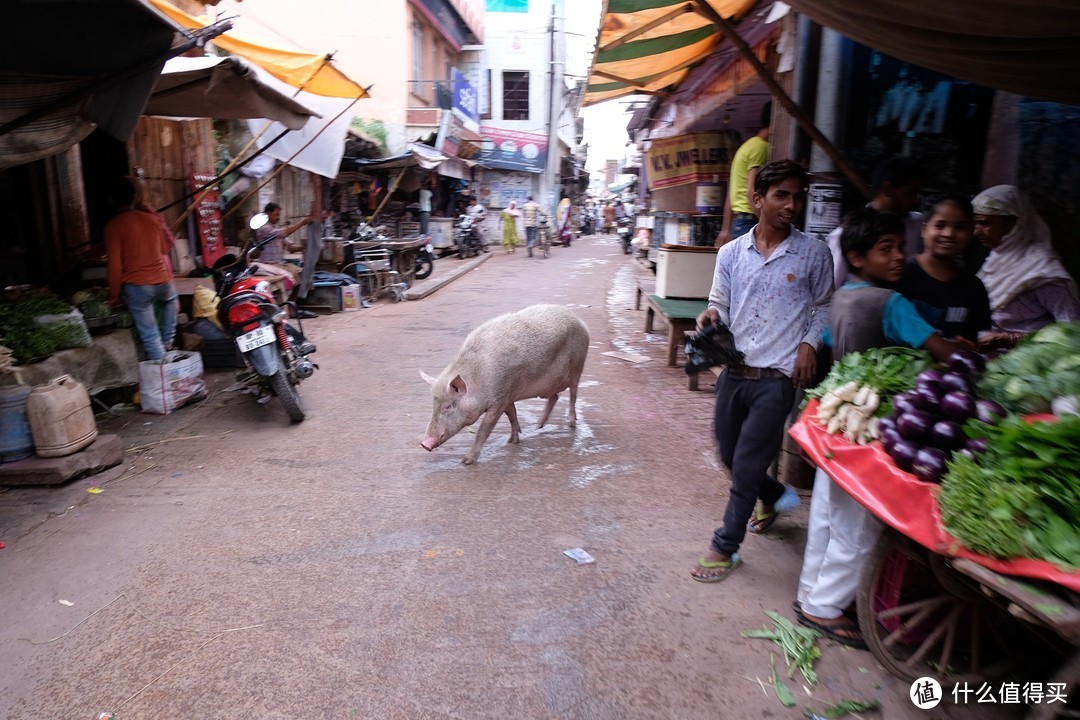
[(62, 420)]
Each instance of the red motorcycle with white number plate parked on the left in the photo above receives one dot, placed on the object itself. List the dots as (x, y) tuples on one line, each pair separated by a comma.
[(276, 352)]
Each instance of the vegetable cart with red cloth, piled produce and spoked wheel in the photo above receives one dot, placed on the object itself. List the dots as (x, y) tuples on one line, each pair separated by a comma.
[(935, 600)]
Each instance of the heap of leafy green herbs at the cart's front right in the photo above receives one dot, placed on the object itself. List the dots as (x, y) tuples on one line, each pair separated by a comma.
[(1021, 498)]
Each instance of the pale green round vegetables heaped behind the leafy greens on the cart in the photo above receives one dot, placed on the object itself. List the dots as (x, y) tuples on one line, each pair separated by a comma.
[(1043, 368)]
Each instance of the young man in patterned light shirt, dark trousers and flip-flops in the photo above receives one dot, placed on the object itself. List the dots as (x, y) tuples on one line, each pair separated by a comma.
[(772, 288)]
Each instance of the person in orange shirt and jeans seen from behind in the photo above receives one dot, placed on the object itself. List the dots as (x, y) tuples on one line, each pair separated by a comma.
[(137, 246)]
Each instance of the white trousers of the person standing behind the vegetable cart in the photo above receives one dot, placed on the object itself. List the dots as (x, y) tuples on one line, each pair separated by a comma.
[(840, 537)]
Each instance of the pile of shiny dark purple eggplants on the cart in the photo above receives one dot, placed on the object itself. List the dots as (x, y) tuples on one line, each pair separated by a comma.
[(926, 428)]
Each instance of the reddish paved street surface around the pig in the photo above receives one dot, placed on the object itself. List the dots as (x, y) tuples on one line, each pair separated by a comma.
[(240, 567)]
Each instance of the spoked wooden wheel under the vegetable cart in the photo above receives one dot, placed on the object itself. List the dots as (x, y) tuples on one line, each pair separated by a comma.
[(919, 627)]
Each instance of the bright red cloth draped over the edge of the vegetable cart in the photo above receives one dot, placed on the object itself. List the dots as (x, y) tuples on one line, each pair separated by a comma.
[(901, 500)]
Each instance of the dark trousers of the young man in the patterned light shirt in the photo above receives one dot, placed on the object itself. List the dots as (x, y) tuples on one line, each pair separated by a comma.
[(749, 423)]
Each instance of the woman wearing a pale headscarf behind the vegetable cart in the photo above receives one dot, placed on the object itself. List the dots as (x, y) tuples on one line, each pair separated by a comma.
[(1028, 284)]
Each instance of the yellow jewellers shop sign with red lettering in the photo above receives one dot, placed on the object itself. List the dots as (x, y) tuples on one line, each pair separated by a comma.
[(687, 159)]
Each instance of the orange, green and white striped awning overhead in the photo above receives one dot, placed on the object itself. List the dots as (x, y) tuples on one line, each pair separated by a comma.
[(649, 46)]
